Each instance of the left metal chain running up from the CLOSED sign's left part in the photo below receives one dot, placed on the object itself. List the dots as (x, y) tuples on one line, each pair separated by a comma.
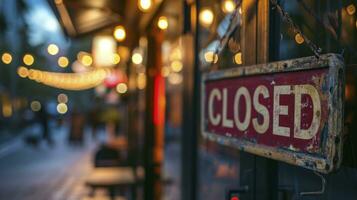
[(228, 33)]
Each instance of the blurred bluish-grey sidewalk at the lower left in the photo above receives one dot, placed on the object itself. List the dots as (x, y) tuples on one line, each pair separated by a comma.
[(47, 173)]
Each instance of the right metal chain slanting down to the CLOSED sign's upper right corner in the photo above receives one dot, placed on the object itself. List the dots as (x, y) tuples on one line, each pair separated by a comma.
[(286, 18)]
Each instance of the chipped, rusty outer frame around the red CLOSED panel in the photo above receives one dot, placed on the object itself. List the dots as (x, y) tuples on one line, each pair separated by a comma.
[(334, 144)]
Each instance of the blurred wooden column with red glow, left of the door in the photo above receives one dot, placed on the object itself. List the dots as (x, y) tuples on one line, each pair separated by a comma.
[(154, 132)]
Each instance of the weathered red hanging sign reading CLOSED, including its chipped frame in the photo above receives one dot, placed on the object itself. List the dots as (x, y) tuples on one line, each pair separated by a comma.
[(290, 111)]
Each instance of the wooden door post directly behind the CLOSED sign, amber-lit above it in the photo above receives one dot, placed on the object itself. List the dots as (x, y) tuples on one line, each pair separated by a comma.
[(258, 173)]
